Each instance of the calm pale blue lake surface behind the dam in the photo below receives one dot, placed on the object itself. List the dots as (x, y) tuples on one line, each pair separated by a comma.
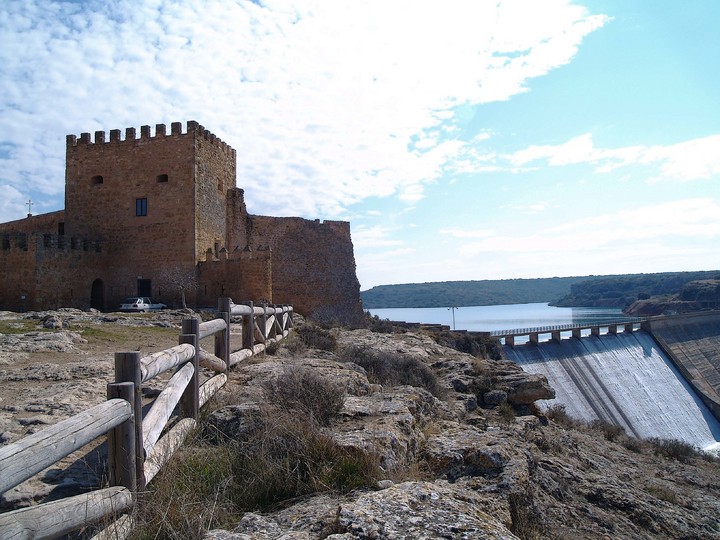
[(502, 317)]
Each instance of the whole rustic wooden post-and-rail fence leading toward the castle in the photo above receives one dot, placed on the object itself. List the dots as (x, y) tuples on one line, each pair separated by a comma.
[(138, 446)]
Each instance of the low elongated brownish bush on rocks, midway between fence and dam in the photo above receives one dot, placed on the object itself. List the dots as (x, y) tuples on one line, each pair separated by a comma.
[(394, 369)]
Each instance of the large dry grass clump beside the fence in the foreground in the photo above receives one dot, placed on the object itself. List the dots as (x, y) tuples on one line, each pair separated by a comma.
[(207, 486)]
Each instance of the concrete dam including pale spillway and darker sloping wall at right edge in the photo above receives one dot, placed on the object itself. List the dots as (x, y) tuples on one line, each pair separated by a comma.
[(628, 379)]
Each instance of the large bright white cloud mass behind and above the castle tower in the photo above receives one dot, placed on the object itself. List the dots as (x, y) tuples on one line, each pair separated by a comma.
[(322, 100)]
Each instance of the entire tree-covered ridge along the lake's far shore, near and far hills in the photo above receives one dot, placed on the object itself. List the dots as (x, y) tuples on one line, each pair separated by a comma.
[(587, 291)]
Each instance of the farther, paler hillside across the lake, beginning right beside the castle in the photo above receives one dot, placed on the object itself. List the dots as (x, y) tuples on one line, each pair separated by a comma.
[(469, 293)]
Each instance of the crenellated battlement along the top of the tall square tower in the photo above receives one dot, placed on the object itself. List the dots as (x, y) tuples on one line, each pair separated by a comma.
[(193, 129)]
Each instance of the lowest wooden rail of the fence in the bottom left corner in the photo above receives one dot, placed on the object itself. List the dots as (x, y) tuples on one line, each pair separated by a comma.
[(56, 518)]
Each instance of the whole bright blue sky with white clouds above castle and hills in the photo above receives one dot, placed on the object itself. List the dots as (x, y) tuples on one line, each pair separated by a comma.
[(463, 139)]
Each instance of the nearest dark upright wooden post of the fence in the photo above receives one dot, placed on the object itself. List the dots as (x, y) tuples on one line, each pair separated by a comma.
[(121, 441)]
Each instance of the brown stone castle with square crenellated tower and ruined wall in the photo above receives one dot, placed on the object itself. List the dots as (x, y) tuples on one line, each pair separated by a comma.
[(144, 213)]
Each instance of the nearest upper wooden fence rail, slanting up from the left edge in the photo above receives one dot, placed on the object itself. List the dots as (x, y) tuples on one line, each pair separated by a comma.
[(27, 457)]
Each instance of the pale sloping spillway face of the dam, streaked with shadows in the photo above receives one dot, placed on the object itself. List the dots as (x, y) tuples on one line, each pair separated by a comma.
[(625, 379)]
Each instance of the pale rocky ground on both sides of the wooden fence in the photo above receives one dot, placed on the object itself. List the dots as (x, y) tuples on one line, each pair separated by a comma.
[(458, 464)]
